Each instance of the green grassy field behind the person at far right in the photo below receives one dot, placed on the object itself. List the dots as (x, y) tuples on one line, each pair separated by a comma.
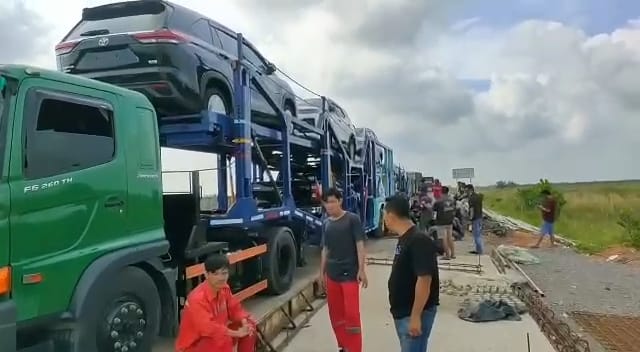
[(591, 215)]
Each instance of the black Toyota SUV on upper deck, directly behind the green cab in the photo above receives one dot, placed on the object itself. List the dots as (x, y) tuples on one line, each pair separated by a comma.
[(178, 58)]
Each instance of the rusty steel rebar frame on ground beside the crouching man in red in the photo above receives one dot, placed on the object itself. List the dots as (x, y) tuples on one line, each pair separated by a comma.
[(280, 326)]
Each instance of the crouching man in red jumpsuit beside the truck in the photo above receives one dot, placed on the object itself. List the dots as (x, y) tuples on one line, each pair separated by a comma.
[(212, 318)]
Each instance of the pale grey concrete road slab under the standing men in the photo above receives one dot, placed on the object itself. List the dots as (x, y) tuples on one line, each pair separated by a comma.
[(450, 334)]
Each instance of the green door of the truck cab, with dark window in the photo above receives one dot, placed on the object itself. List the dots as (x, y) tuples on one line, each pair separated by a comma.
[(68, 190)]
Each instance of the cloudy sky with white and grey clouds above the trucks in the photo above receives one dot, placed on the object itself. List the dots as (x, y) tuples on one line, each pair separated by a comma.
[(517, 89)]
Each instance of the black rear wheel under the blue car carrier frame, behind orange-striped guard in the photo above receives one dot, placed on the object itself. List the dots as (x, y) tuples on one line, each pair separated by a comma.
[(279, 263)]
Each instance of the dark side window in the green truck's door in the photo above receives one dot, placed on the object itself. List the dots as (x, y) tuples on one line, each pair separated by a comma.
[(68, 136)]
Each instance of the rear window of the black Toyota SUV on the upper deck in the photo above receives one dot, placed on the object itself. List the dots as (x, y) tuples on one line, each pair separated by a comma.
[(120, 18)]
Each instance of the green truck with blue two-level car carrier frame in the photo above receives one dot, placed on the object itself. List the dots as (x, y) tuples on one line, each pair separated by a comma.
[(94, 257)]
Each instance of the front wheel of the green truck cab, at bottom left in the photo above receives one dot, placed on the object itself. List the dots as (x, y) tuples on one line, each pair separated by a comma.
[(126, 313)]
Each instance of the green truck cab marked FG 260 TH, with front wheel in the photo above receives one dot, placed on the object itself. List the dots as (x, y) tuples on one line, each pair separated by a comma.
[(82, 239)]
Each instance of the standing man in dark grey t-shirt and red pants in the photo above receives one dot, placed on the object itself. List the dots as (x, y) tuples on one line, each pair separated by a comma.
[(342, 271)]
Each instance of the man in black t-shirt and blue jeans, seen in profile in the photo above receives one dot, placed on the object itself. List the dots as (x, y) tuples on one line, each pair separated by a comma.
[(414, 282)]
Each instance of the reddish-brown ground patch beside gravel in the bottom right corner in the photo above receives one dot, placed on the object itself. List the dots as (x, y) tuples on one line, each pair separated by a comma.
[(614, 332)]
